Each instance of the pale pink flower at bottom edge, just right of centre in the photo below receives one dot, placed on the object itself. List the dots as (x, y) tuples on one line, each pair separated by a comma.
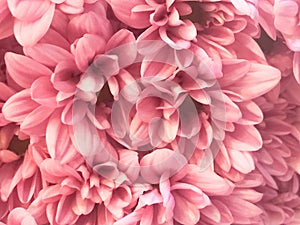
[(182, 190)]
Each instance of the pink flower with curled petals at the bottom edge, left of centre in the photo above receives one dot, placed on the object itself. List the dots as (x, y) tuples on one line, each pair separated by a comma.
[(77, 195)]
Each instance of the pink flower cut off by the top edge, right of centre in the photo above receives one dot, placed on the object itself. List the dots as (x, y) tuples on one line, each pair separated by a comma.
[(176, 22)]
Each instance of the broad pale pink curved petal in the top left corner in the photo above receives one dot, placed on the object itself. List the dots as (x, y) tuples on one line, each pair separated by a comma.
[(29, 33)]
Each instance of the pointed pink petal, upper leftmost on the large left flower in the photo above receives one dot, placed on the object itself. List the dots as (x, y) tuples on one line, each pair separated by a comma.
[(24, 70)]
